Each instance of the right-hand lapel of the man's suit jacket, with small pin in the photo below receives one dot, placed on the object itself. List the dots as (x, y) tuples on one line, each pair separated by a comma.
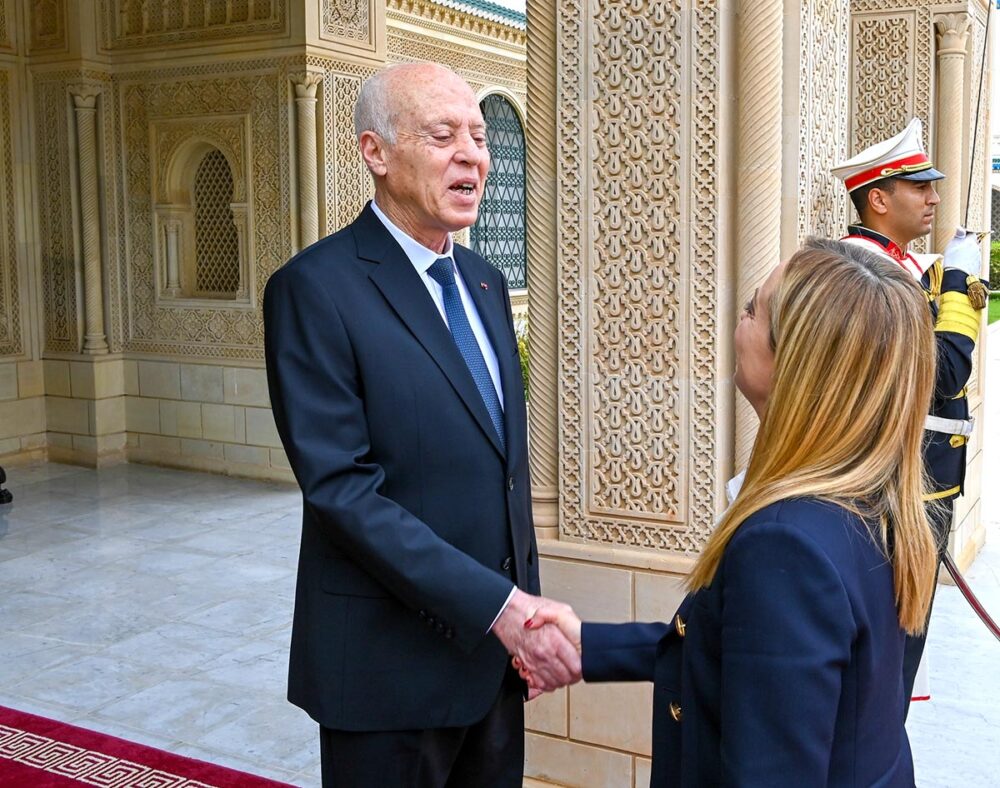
[(492, 309)]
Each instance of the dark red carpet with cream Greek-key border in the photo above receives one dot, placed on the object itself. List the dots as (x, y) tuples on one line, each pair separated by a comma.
[(36, 752)]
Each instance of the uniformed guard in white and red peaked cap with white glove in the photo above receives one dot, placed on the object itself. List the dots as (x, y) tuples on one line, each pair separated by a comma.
[(892, 187)]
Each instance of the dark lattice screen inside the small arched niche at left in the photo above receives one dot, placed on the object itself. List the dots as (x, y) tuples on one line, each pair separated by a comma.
[(217, 247)]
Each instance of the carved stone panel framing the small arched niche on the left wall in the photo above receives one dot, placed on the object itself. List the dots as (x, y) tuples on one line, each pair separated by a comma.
[(250, 98)]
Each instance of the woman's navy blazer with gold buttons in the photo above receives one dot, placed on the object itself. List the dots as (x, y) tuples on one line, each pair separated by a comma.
[(786, 671)]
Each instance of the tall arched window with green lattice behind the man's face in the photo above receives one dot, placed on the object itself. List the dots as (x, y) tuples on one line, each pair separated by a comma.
[(498, 234)]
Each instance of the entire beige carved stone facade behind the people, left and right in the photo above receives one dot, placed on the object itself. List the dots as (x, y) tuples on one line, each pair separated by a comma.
[(676, 150)]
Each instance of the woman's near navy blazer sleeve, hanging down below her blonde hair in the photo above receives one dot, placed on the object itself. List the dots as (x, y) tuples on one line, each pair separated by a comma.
[(786, 637)]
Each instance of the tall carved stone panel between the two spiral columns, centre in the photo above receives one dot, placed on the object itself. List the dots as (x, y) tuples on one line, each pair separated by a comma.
[(639, 154)]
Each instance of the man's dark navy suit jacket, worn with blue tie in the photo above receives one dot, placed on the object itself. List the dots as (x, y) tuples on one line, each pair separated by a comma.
[(416, 524)]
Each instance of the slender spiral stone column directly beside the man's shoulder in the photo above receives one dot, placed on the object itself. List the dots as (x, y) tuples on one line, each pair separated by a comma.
[(542, 261)]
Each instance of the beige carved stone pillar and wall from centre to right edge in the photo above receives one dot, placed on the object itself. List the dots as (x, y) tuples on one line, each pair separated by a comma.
[(679, 150)]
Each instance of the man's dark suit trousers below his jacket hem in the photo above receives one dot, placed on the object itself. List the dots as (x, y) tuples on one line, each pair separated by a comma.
[(488, 753)]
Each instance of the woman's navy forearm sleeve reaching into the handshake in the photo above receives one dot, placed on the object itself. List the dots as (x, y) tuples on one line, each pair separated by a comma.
[(620, 652)]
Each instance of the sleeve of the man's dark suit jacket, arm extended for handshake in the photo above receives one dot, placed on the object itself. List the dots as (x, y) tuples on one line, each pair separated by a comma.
[(320, 415)]
